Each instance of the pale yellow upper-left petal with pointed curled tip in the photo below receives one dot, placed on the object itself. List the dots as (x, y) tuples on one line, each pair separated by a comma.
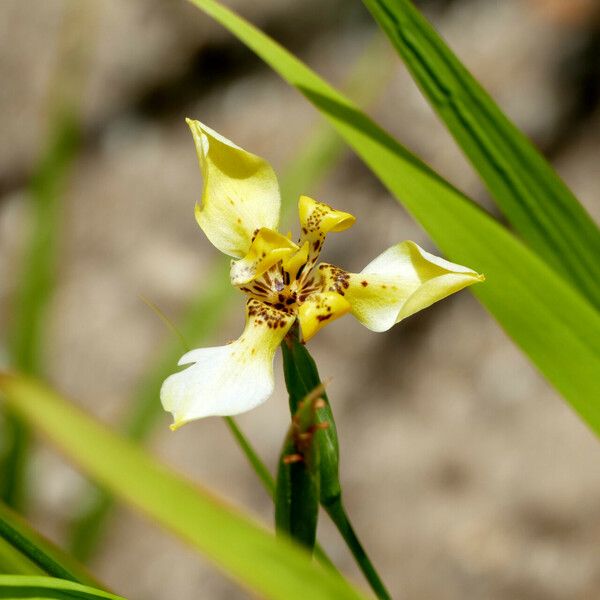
[(240, 193)]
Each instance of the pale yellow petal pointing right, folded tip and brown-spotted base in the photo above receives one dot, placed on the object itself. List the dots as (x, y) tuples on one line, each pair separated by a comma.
[(398, 283)]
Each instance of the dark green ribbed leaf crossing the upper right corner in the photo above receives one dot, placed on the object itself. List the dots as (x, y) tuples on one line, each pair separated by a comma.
[(526, 188)]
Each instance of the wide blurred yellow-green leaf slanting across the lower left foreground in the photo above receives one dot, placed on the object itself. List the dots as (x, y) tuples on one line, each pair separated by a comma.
[(275, 568)]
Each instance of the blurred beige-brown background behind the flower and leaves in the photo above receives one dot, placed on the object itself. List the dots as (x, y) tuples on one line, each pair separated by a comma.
[(465, 474)]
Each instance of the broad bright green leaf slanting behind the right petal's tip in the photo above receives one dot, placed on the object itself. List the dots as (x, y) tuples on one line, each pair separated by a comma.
[(551, 322)]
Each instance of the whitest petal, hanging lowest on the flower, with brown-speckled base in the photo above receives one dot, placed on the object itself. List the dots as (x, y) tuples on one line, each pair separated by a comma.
[(231, 379)]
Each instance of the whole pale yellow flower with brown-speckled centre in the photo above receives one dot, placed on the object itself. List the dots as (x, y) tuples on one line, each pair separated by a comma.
[(239, 213)]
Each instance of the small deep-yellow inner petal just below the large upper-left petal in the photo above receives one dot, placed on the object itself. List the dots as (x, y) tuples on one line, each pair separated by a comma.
[(266, 250)]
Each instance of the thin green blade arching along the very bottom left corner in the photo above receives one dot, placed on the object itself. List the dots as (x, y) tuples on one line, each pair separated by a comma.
[(48, 588)]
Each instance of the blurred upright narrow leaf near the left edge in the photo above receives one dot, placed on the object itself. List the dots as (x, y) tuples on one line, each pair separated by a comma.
[(38, 274)]
